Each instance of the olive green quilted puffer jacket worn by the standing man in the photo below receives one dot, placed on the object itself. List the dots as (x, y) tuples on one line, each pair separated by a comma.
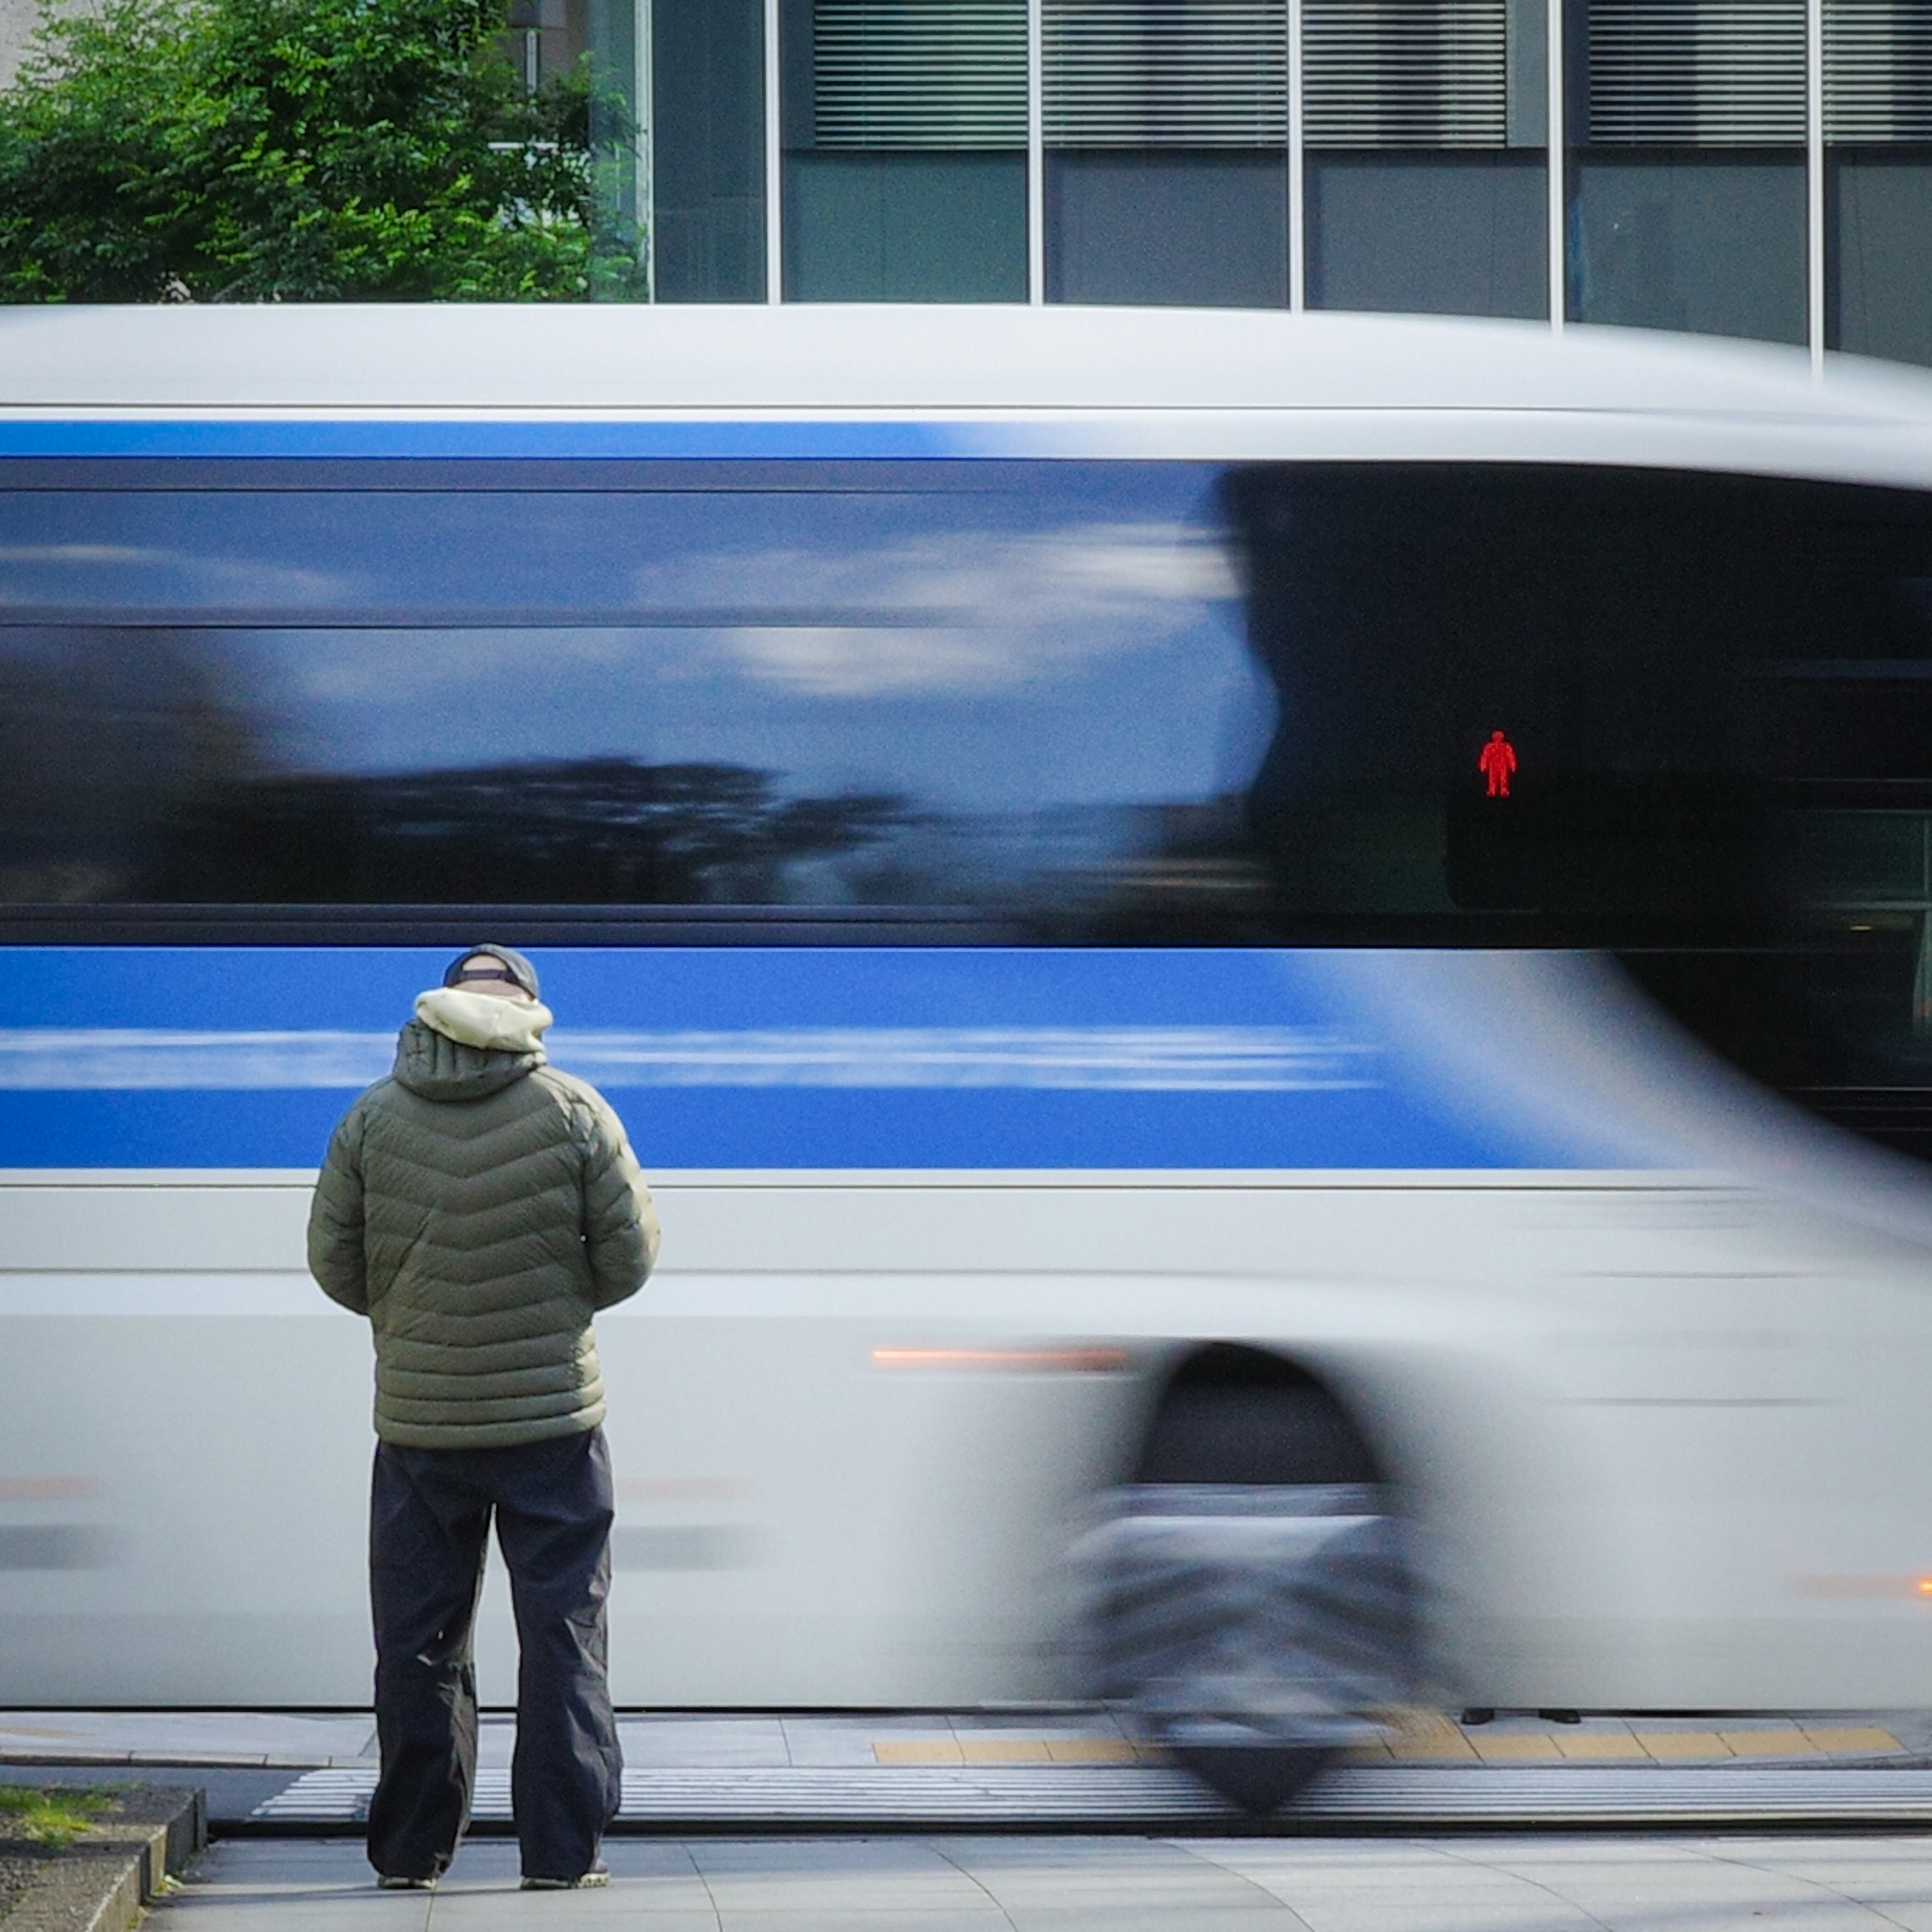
[(480, 1207)]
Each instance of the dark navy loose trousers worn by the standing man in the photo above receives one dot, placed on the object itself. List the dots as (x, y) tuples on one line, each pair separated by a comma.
[(430, 1516)]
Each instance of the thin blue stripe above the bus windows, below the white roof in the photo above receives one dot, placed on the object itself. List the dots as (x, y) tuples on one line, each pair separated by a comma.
[(499, 438)]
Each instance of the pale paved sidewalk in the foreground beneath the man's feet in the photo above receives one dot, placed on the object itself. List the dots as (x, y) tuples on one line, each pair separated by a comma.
[(1116, 1885)]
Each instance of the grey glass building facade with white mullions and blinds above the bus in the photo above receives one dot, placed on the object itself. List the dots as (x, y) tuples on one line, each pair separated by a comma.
[(1736, 167)]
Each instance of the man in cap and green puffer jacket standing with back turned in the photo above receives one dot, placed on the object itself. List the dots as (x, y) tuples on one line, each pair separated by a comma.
[(478, 1207)]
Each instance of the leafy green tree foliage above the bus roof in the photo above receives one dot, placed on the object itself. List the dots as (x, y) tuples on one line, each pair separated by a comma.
[(300, 152)]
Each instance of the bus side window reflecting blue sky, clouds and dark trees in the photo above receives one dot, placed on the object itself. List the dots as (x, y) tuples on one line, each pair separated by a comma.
[(1033, 702)]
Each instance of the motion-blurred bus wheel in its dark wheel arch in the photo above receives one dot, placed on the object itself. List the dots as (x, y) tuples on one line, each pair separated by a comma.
[(1251, 1597)]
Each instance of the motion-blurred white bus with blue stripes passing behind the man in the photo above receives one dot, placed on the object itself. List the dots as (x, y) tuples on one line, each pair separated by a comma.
[(994, 797)]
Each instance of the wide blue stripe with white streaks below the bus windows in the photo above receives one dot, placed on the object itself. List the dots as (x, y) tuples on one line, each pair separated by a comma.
[(853, 1060)]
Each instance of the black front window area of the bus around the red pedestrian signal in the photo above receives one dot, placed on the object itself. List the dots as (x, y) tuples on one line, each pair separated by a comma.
[(1719, 700)]
